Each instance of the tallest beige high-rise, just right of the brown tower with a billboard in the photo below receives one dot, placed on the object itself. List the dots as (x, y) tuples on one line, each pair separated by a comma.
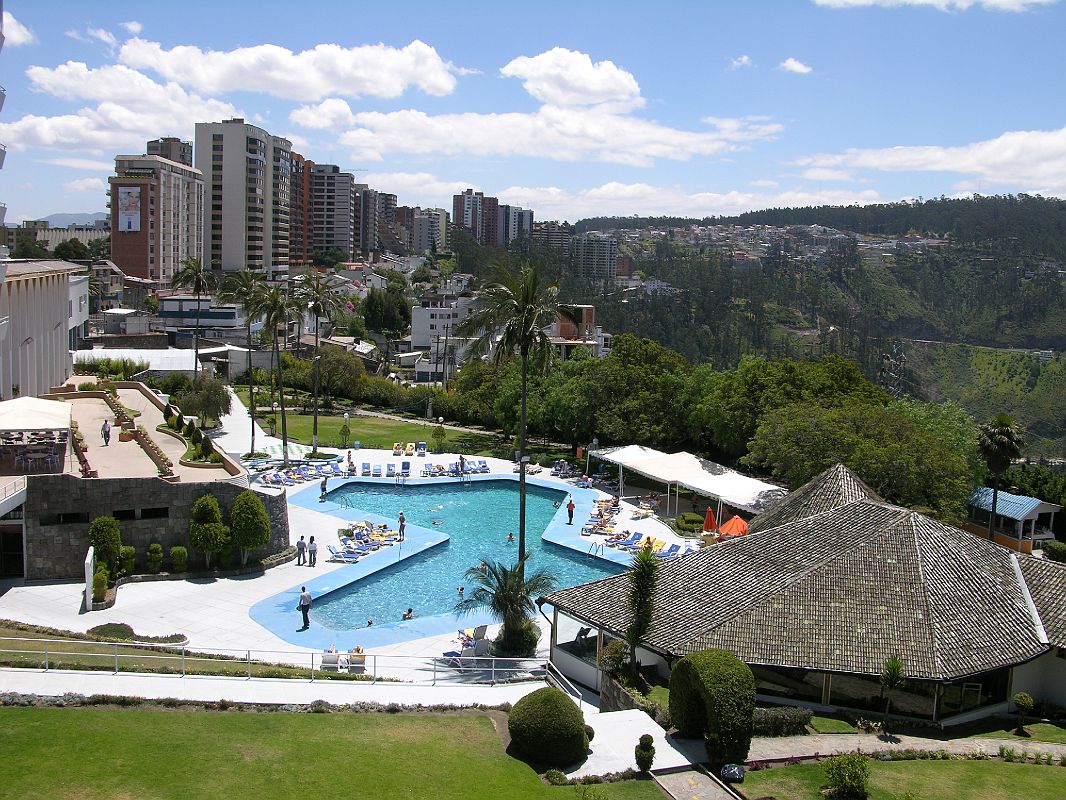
[(247, 174)]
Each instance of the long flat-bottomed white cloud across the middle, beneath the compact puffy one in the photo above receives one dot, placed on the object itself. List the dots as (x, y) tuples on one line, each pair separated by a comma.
[(559, 134)]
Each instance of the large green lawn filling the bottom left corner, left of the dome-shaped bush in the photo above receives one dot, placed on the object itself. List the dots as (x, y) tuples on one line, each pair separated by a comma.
[(125, 754)]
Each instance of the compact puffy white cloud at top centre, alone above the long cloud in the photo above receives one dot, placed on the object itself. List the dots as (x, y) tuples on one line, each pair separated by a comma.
[(561, 77)]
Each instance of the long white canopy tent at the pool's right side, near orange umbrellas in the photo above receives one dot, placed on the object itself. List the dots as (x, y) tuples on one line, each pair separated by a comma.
[(696, 474)]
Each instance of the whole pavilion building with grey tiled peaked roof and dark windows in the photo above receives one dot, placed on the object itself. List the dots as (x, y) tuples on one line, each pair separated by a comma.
[(831, 583)]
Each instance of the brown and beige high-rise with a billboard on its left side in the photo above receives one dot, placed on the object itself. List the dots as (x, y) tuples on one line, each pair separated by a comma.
[(157, 215)]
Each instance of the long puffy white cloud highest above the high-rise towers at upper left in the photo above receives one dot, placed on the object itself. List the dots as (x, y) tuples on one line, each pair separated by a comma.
[(378, 71)]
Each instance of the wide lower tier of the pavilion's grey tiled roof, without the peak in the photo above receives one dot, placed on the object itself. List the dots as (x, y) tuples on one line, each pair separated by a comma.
[(839, 591)]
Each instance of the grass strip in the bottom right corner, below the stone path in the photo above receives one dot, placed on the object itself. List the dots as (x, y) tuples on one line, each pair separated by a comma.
[(928, 780)]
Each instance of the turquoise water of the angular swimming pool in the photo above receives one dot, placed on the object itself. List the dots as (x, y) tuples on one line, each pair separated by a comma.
[(478, 518)]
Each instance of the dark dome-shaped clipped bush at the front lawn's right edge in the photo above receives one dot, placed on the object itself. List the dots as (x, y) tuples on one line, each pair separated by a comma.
[(547, 729)]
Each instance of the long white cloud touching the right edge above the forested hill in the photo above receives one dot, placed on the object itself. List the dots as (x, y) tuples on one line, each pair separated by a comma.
[(1028, 161)]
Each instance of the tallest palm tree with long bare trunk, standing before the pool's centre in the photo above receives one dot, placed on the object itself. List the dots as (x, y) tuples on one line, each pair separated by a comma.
[(516, 310)]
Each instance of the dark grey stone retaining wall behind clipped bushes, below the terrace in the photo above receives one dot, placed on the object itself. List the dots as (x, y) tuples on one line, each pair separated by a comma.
[(58, 551)]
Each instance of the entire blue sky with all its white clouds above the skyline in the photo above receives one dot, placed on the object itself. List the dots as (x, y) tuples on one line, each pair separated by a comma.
[(573, 109)]
